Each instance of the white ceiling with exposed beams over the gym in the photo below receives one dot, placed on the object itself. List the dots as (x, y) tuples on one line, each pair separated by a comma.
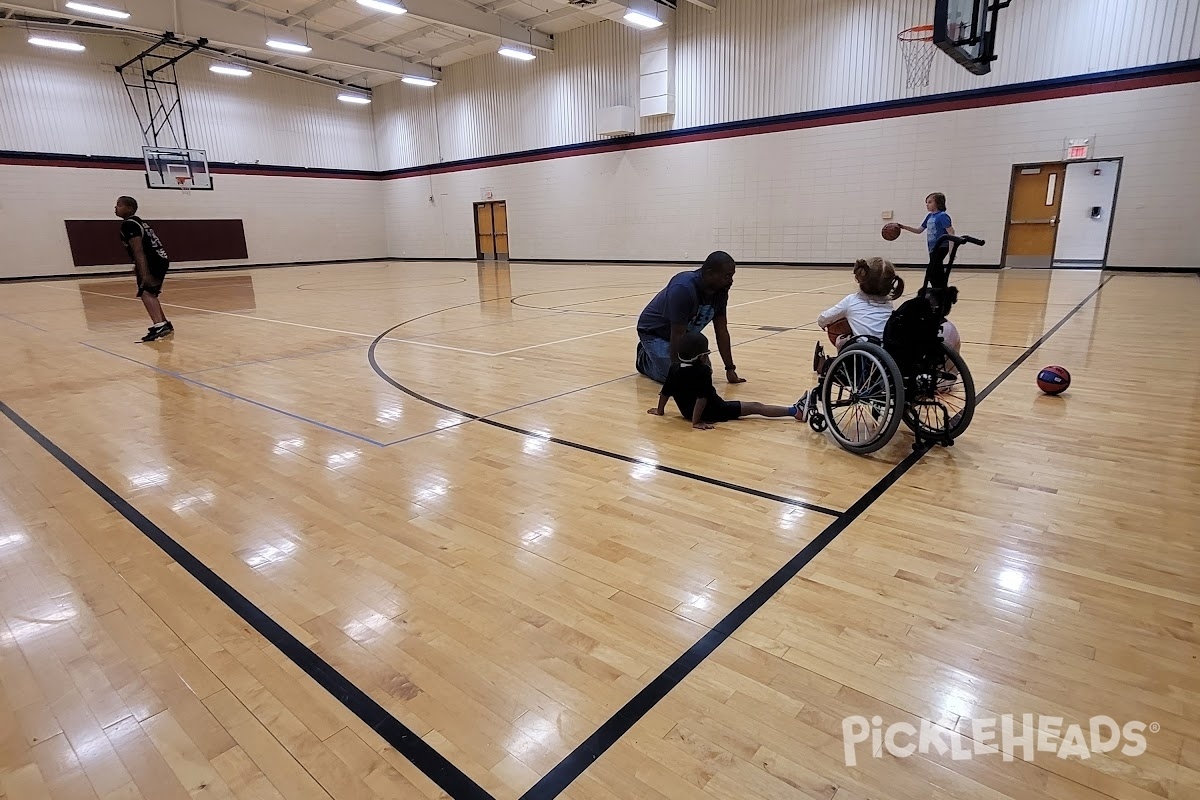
[(352, 44)]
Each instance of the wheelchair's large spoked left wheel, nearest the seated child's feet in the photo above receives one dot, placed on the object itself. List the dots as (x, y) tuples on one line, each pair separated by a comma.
[(862, 396)]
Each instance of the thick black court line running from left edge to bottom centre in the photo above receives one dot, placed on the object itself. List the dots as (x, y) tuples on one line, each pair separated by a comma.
[(433, 765)]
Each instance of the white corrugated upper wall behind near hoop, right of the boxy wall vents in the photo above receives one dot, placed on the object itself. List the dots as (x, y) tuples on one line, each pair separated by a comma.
[(763, 58)]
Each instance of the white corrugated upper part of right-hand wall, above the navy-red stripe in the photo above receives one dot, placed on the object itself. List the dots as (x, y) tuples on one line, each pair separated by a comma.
[(753, 59)]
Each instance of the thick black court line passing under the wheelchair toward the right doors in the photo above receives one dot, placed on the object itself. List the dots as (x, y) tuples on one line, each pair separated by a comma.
[(619, 725)]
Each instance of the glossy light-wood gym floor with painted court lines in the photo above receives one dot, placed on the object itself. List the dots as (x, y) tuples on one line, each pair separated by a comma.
[(280, 556)]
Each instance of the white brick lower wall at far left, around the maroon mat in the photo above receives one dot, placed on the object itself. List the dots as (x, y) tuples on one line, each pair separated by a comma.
[(286, 219)]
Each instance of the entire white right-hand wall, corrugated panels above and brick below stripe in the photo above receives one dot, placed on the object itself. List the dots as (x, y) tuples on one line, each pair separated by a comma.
[(811, 196)]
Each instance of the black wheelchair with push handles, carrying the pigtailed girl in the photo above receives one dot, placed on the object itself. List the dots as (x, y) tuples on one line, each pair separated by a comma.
[(865, 393)]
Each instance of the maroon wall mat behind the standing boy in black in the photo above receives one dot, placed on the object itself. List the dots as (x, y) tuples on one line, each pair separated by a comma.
[(95, 243)]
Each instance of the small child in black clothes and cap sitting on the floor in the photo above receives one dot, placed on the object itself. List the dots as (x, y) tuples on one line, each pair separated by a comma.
[(691, 383)]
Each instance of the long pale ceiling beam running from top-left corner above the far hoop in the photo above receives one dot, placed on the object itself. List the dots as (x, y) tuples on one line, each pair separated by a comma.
[(226, 28)]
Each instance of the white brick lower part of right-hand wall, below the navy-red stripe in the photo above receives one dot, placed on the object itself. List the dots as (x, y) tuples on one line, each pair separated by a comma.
[(818, 195)]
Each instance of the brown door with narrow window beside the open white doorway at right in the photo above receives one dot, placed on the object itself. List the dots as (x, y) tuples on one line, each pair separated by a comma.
[(1034, 208)]
